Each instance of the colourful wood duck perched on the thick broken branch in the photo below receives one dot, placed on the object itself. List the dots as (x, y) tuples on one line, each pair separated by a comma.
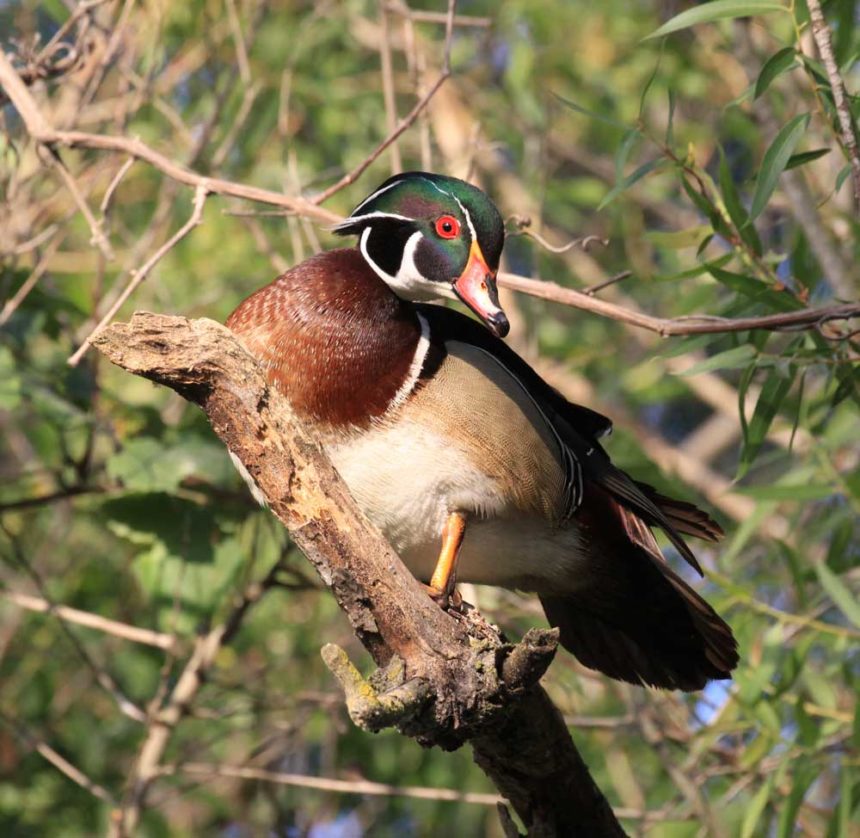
[(474, 467)]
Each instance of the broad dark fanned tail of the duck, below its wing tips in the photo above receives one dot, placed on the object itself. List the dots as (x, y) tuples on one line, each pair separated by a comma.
[(645, 626)]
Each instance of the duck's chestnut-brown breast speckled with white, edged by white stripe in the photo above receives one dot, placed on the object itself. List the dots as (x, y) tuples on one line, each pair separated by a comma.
[(334, 339)]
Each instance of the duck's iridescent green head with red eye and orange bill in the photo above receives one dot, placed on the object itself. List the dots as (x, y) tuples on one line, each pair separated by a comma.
[(429, 236)]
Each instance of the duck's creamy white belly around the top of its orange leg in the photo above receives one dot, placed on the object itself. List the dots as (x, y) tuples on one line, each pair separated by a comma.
[(407, 479)]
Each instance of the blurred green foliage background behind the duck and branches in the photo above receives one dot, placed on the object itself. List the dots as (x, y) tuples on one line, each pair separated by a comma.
[(710, 159)]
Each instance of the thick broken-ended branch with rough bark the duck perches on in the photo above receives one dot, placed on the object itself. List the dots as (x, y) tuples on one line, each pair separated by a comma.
[(443, 680)]
